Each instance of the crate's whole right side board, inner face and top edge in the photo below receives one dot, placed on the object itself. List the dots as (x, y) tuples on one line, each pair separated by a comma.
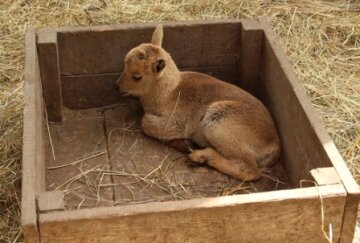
[(275, 70)]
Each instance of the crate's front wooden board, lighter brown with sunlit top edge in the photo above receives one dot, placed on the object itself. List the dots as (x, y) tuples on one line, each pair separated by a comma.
[(281, 216)]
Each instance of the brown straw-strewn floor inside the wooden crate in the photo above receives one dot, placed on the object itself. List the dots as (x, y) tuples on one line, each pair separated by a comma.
[(102, 158)]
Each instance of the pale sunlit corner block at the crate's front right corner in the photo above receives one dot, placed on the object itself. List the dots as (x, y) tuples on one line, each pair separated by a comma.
[(325, 176)]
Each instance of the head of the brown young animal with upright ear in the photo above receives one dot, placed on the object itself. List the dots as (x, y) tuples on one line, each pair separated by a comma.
[(143, 66)]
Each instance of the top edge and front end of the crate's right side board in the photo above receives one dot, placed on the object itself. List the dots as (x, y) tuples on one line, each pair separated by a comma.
[(353, 191)]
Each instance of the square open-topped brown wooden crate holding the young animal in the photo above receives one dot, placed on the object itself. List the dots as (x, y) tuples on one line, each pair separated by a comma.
[(69, 77)]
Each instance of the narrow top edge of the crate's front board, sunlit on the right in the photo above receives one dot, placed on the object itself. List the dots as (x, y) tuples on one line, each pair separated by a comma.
[(223, 201)]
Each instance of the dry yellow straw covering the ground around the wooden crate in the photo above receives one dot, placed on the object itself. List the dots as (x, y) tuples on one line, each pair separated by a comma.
[(322, 40)]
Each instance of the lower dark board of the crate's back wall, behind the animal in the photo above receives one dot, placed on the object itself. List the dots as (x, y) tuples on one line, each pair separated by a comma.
[(78, 91)]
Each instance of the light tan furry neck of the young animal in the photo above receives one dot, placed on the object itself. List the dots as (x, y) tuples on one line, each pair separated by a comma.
[(154, 101)]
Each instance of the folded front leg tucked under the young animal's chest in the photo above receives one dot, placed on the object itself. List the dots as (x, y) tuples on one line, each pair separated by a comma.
[(161, 127)]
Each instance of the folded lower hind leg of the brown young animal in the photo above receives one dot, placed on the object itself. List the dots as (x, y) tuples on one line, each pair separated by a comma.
[(244, 167)]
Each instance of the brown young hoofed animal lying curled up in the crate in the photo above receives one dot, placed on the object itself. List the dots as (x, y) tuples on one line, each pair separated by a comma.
[(234, 130)]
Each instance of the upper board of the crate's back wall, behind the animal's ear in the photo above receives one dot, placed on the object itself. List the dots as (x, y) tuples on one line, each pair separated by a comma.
[(191, 44)]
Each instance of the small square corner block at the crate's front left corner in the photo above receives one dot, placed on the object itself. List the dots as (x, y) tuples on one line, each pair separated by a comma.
[(50, 201)]
